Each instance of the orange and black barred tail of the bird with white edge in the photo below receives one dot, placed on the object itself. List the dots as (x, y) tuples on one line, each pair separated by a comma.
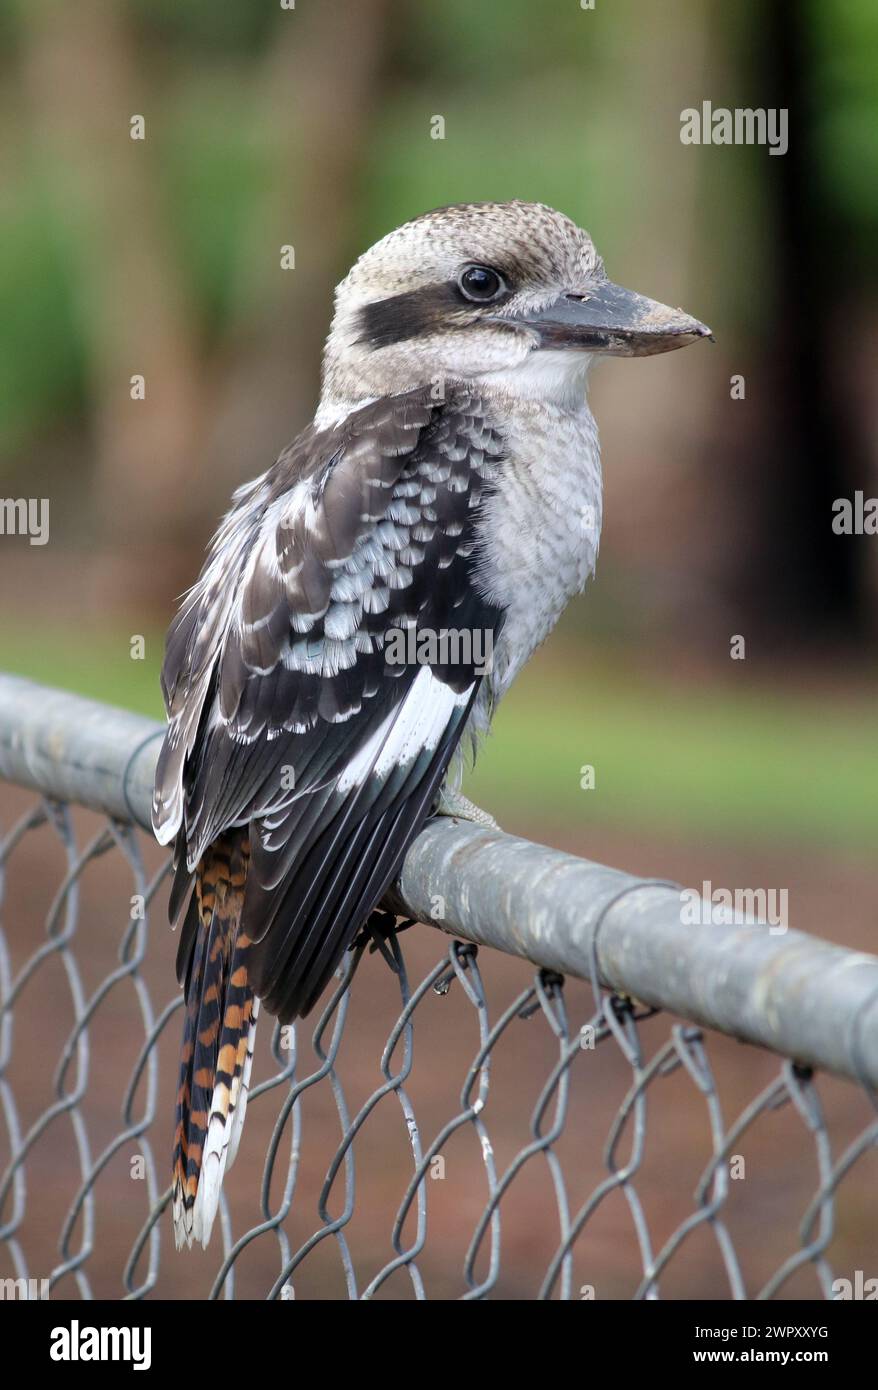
[(219, 1035)]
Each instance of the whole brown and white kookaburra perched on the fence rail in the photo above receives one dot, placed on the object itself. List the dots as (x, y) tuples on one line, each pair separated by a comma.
[(448, 483)]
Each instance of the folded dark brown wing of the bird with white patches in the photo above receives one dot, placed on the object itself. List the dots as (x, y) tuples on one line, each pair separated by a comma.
[(285, 714)]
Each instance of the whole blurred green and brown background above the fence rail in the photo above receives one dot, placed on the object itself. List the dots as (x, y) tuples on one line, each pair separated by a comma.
[(312, 127)]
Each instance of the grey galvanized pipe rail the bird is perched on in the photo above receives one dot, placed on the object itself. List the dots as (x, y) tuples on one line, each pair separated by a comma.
[(793, 993)]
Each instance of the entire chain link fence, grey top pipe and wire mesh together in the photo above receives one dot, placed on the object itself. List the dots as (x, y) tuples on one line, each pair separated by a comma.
[(541, 1103)]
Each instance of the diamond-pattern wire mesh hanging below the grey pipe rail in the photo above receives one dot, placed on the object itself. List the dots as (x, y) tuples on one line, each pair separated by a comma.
[(595, 1071)]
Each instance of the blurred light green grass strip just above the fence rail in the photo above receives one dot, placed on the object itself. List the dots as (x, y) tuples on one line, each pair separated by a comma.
[(748, 764)]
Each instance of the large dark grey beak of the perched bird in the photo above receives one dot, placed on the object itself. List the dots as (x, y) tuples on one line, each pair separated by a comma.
[(606, 319)]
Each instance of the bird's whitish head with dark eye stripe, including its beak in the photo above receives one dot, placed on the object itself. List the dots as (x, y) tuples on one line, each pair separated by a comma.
[(508, 294)]
